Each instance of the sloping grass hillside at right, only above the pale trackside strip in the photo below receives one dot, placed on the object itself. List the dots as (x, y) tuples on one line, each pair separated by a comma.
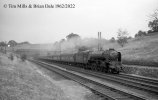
[(141, 51)]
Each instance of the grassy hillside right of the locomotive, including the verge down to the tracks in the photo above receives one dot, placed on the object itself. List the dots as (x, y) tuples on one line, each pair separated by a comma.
[(140, 56)]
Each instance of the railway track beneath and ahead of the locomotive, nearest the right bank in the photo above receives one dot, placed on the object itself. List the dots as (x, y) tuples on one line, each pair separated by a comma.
[(133, 81)]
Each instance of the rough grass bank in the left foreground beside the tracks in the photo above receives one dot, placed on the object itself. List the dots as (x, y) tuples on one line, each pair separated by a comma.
[(18, 81)]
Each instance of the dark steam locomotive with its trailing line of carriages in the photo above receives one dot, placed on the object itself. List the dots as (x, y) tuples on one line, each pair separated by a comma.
[(105, 61)]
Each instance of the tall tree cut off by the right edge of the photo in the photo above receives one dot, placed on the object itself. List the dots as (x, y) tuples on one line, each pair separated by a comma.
[(153, 23)]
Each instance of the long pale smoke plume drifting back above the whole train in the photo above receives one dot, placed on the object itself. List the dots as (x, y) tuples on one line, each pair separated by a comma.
[(68, 46)]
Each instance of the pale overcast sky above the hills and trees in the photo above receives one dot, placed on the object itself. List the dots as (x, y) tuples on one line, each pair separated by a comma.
[(47, 25)]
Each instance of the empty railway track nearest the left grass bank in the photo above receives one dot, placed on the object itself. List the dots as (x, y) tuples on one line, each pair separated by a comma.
[(106, 91)]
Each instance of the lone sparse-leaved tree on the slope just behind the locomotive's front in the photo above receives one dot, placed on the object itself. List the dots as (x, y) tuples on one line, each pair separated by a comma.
[(122, 37)]
